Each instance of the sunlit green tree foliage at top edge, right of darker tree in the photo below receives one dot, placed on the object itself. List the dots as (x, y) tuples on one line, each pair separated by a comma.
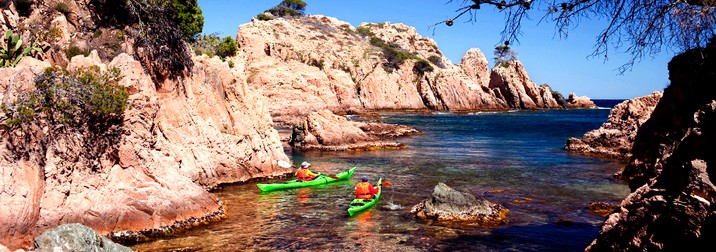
[(189, 17)]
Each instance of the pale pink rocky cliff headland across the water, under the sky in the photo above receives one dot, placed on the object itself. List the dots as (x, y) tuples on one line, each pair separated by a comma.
[(300, 65)]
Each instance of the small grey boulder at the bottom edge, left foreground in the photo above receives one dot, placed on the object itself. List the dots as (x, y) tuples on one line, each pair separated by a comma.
[(75, 237)]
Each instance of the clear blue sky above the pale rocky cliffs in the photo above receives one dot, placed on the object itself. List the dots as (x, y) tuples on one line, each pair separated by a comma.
[(562, 63)]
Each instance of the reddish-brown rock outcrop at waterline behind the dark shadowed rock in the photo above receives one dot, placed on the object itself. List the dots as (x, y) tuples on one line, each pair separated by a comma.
[(615, 137)]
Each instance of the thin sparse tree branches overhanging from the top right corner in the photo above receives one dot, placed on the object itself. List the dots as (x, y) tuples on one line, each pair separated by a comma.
[(642, 28)]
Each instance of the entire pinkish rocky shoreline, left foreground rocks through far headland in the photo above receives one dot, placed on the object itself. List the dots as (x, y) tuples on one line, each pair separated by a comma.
[(180, 137)]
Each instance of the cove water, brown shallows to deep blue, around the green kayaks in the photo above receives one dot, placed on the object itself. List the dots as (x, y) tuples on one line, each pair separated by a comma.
[(515, 159)]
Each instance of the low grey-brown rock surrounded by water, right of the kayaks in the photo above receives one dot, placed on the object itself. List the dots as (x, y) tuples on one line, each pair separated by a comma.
[(447, 204)]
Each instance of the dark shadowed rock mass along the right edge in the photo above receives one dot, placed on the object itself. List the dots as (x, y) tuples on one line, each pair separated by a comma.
[(670, 171)]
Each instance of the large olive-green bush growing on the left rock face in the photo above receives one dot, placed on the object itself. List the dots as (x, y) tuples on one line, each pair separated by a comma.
[(86, 105)]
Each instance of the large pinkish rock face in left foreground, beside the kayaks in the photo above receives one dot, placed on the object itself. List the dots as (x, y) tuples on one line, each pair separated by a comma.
[(178, 140)]
